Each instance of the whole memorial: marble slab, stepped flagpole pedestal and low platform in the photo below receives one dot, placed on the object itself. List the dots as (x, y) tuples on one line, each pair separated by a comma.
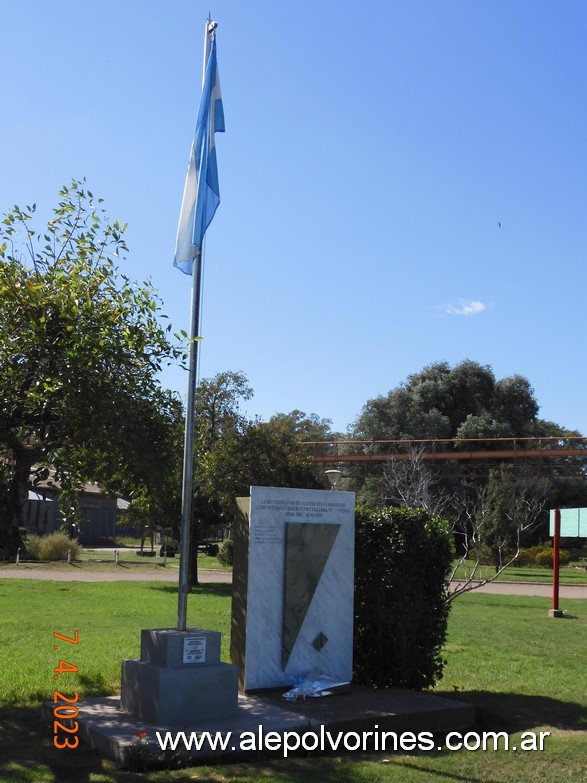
[(292, 616)]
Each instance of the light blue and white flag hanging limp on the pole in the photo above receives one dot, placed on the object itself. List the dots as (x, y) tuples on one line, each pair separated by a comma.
[(201, 194)]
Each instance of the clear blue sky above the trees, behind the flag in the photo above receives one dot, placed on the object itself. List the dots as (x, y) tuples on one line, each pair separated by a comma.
[(372, 151)]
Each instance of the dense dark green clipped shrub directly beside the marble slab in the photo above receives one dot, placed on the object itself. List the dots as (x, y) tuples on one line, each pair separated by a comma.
[(402, 558)]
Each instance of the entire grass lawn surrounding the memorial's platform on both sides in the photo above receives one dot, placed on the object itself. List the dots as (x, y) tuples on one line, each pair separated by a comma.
[(521, 669)]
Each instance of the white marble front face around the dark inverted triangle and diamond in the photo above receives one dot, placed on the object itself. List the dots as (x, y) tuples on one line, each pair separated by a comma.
[(331, 609)]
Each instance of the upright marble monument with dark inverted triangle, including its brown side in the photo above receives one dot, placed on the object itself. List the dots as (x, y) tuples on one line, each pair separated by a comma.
[(293, 584)]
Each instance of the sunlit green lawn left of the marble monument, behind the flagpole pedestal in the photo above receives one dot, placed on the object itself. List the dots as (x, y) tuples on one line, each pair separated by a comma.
[(109, 617)]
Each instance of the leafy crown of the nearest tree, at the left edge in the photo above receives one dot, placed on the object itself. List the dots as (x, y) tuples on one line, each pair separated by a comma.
[(80, 349)]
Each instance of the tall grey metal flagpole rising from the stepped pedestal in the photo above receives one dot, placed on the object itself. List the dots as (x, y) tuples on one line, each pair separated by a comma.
[(188, 456)]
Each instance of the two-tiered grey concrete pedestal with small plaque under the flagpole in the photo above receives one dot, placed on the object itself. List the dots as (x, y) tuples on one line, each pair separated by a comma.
[(179, 678)]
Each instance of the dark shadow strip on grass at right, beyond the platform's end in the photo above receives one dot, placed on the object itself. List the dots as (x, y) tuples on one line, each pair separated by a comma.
[(514, 712)]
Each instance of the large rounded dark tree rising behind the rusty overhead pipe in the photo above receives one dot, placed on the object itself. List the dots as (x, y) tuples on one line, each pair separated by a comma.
[(460, 403)]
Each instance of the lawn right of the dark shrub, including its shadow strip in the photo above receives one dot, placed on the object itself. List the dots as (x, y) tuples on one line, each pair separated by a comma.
[(505, 654)]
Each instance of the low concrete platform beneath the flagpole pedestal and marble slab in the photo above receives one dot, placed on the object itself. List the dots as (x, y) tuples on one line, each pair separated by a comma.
[(115, 733)]
